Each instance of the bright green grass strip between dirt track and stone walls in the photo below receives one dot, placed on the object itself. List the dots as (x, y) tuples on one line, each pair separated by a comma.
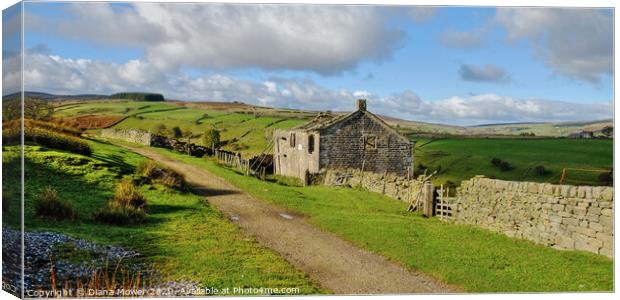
[(475, 259)]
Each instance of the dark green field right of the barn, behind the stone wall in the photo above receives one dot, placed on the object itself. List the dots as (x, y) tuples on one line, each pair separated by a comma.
[(458, 159)]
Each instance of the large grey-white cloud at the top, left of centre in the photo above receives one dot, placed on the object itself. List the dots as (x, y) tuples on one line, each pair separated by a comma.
[(324, 39)]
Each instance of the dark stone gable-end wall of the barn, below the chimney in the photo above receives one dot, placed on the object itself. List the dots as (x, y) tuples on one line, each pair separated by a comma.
[(343, 146)]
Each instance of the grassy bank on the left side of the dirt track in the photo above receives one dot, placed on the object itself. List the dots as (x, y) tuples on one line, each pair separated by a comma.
[(184, 238)]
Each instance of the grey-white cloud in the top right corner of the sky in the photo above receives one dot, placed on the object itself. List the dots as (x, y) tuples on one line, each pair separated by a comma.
[(577, 43)]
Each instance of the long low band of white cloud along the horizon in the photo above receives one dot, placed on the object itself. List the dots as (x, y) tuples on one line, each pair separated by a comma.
[(49, 73)]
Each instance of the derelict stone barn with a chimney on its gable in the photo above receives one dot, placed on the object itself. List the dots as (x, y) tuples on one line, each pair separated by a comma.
[(359, 140)]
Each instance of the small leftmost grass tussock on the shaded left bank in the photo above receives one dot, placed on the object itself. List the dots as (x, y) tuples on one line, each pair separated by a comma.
[(49, 205)]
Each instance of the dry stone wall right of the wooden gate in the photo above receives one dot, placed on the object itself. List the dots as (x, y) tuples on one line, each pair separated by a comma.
[(561, 216)]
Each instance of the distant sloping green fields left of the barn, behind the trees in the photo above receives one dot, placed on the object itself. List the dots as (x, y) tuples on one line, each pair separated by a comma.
[(247, 132)]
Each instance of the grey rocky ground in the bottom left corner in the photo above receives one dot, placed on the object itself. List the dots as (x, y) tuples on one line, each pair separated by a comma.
[(71, 260)]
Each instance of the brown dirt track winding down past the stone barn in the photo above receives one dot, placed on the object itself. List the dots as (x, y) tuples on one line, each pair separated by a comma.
[(332, 262)]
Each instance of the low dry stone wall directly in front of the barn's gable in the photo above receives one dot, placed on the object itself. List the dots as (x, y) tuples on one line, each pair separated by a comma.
[(391, 185)]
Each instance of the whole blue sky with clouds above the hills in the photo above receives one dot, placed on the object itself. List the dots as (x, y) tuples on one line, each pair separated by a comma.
[(454, 65)]
